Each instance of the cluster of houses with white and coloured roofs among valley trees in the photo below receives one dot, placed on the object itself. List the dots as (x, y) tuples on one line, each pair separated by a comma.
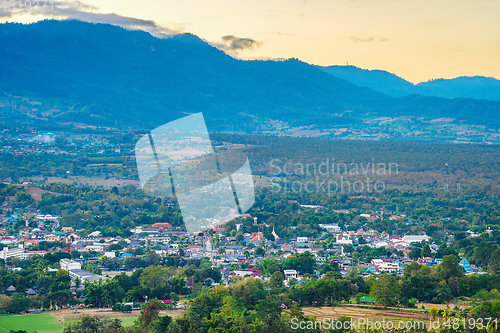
[(229, 254)]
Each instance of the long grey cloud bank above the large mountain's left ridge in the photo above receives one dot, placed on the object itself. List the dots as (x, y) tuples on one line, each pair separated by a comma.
[(74, 9)]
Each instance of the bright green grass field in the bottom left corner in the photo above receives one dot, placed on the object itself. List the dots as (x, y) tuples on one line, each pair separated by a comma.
[(42, 322)]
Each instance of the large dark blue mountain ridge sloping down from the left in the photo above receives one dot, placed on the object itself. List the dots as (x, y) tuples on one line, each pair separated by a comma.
[(71, 72)]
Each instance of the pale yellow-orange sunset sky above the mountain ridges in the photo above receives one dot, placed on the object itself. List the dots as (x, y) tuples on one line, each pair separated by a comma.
[(418, 40)]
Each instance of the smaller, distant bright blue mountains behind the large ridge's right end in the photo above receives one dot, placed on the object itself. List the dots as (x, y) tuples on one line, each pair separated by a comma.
[(477, 87)]
